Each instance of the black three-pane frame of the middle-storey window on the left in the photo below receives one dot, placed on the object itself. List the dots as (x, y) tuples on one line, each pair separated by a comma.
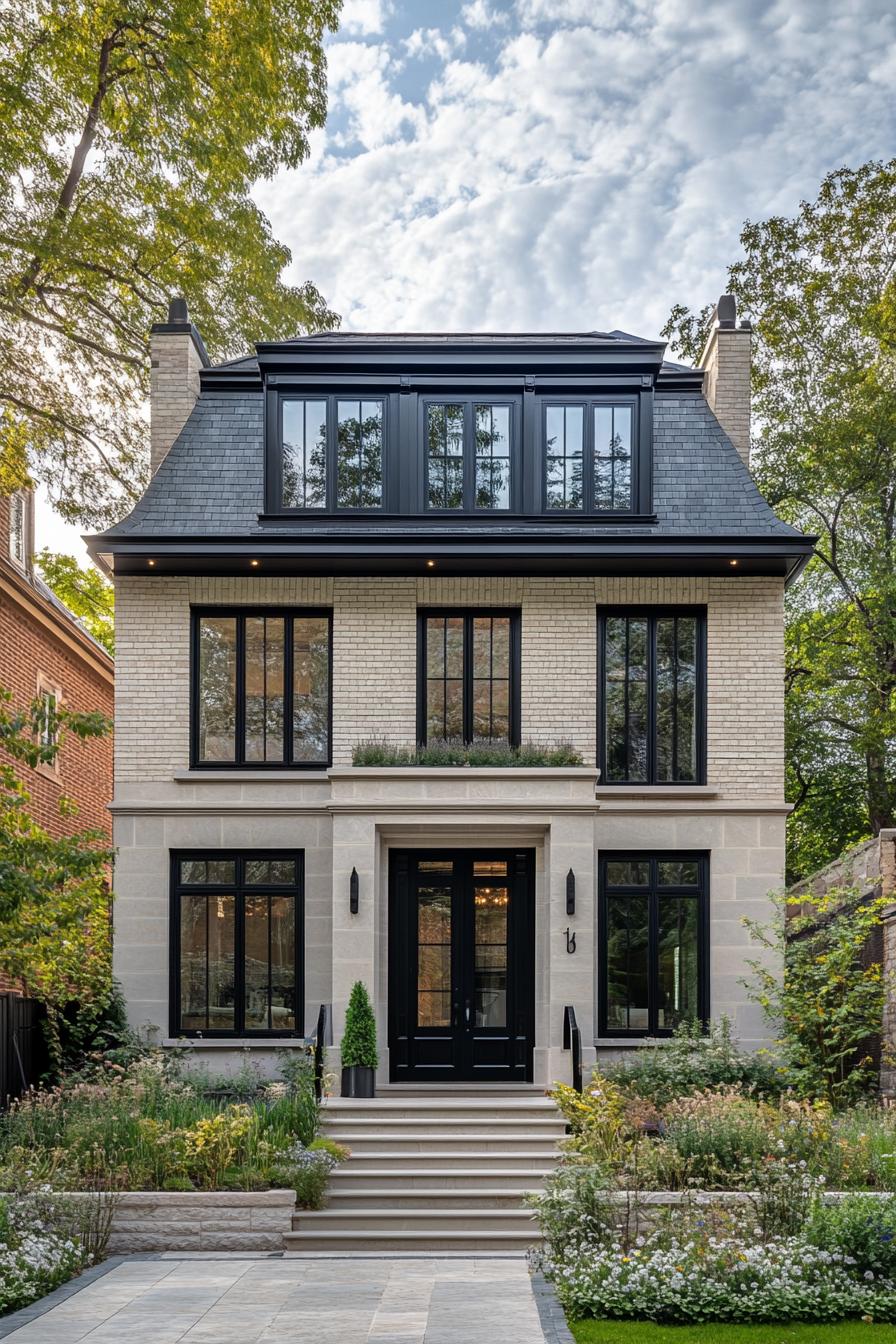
[(241, 614)]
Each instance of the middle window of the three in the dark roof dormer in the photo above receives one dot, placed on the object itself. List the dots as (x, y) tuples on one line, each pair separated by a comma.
[(469, 455)]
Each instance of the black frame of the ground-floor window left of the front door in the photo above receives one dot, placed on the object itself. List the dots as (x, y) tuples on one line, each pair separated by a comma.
[(238, 890)]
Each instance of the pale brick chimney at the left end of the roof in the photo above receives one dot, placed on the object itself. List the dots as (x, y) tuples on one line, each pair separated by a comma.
[(177, 354)]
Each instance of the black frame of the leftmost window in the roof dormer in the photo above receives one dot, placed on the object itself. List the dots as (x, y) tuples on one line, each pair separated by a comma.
[(275, 466)]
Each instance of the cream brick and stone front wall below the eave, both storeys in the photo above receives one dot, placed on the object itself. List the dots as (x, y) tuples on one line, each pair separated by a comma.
[(347, 819)]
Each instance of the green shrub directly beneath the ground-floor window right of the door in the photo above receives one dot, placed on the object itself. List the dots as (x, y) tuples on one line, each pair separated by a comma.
[(692, 1061)]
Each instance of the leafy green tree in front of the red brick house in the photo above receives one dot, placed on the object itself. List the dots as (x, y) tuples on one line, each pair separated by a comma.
[(54, 893)]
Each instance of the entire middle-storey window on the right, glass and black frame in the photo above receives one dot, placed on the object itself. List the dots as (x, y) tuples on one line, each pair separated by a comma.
[(652, 696)]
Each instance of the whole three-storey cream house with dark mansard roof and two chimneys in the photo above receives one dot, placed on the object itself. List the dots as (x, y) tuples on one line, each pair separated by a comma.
[(549, 538)]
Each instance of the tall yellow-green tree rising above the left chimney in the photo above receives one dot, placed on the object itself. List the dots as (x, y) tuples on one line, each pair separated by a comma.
[(132, 134)]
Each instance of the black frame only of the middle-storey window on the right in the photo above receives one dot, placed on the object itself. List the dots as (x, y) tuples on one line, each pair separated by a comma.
[(652, 614)]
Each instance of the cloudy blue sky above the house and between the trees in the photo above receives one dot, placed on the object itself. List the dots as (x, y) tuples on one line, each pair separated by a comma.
[(569, 165)]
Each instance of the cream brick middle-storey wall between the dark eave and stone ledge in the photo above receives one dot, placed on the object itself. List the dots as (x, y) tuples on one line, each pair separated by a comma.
[(375, 662)]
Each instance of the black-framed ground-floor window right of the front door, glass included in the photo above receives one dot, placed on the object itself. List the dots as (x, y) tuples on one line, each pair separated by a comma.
[(654, 933)]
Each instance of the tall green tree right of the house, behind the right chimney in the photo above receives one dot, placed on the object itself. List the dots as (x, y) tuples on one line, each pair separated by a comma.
[(821, 292)]
